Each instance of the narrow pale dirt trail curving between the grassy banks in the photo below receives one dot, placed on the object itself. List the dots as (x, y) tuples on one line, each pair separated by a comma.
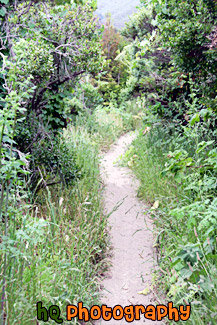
[(132, 252)]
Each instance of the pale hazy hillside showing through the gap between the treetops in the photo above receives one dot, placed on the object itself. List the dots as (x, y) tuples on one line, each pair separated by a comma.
[(120, 10)]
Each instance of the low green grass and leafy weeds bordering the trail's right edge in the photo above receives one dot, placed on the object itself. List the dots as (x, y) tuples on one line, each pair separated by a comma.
[(185, 219)]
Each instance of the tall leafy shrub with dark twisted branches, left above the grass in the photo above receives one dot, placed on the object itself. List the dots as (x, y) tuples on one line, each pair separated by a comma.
[(49, 47)]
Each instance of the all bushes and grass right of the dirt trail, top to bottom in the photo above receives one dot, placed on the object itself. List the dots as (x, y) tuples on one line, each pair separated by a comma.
[(173, 62)]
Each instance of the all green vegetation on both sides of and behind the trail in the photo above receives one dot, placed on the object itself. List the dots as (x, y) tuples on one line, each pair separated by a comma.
[(69, 88)]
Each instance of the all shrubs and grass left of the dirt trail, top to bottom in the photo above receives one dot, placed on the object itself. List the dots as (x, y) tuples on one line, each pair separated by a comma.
[(52, 129)]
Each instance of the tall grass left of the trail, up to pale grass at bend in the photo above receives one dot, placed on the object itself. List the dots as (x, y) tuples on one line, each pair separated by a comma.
[(56, 242)]
